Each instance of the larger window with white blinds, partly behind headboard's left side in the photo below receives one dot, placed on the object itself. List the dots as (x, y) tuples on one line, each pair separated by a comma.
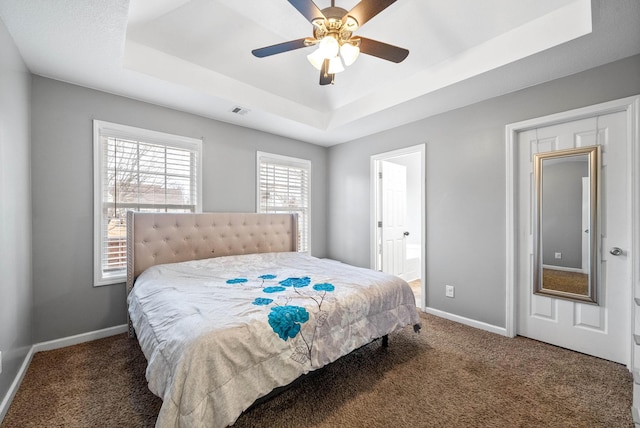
[(140, 170)]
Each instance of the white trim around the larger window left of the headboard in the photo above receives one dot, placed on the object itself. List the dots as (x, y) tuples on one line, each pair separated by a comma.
[(144, 135)]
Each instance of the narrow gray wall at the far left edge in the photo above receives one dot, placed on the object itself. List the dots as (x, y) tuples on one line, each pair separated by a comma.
[(16, 287)]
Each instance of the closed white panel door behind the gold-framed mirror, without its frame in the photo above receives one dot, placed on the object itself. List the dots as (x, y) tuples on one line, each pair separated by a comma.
[(602, 330)]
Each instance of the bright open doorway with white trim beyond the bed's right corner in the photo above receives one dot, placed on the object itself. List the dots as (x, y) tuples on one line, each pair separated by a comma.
[(398, 217)]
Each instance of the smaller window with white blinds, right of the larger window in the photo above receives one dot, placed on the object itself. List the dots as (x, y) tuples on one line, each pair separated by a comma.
[(283, 187)]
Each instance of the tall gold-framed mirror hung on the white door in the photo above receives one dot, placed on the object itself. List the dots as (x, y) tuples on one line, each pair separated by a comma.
[(566, 206)]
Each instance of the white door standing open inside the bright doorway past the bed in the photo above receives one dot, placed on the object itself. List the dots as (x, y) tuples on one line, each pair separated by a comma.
[(394, 216)]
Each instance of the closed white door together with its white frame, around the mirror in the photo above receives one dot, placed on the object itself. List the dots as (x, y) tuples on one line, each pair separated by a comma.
[(602, 330)]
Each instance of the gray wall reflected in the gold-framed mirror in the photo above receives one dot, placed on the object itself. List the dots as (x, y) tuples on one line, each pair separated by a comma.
[(562, 213)]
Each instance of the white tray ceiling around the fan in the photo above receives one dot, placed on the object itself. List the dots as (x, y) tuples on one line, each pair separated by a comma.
[(195, 56)]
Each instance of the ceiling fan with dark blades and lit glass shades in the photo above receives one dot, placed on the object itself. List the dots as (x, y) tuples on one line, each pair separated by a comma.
[(333, 29)]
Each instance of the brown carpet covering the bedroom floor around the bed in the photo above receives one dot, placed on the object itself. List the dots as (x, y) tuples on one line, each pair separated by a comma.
[(450, 375)]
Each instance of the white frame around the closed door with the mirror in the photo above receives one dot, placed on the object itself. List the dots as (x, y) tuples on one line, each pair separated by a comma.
[(630, 105)]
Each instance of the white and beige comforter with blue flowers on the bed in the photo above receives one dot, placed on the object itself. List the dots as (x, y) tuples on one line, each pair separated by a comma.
[(220, 333)]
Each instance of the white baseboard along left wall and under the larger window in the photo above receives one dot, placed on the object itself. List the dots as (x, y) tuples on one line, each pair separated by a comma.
[(48, 346)]
